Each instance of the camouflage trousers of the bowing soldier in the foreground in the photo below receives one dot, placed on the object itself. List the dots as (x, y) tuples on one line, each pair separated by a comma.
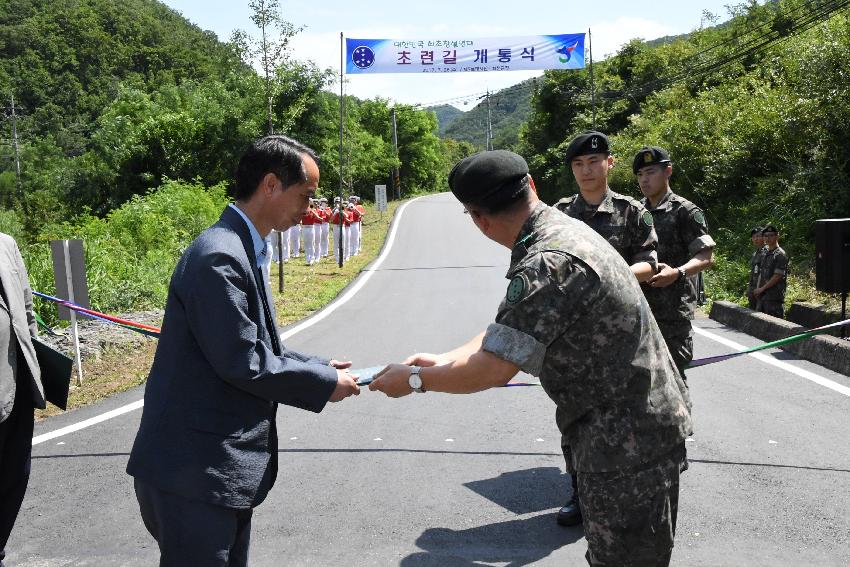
[(629, 516)]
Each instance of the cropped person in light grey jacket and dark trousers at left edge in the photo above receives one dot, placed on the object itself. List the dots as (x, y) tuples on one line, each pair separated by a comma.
[(20, 384)]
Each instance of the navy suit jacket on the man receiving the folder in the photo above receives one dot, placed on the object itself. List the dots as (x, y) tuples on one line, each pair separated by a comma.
[(208, 425)]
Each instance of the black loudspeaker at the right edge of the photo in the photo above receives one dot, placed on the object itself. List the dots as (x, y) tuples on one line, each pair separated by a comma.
[(832, 262)]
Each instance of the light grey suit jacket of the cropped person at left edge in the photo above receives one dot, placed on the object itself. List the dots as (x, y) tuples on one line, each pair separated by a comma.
[(18, 304)]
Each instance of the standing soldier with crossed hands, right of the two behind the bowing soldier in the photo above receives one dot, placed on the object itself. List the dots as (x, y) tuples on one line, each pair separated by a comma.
[(684, 250)]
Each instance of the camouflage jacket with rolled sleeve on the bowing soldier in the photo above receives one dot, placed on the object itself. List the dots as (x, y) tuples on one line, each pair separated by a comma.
[(574, 315)]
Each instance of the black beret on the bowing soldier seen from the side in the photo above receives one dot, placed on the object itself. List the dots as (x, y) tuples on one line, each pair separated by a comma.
[(479, 178)]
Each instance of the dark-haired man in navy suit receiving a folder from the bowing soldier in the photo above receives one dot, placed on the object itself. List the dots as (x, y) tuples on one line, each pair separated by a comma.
[(206, 451)]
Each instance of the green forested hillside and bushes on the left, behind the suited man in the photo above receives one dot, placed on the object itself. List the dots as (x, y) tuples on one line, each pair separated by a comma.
[(125, 110)]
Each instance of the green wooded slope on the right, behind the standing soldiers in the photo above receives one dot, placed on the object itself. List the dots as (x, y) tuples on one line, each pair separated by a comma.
[(753, 112)]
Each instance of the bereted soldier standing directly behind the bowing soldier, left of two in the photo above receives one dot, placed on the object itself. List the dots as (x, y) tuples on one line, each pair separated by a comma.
[(620, 220)]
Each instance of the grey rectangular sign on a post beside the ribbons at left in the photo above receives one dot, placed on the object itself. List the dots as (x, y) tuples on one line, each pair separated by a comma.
[(69, 274)]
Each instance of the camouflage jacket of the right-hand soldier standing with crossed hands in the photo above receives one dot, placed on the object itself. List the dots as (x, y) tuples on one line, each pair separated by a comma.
[(682, 233)]
